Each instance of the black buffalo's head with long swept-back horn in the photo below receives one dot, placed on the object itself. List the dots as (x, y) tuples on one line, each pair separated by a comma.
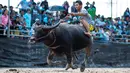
[(42, 32)]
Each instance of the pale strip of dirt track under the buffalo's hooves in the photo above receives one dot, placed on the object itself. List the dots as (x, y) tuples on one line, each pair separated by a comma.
[(61, 70)]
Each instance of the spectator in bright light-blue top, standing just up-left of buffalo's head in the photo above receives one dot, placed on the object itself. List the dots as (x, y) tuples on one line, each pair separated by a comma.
[(27, 18)]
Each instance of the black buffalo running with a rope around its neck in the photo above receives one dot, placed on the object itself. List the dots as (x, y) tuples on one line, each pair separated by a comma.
[(63, 39)]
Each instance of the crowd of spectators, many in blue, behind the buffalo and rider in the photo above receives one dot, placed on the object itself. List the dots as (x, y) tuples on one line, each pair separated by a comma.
[(30, 11)]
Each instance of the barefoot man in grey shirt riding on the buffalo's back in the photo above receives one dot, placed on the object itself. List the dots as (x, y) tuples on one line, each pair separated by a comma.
[(85, 17)]
